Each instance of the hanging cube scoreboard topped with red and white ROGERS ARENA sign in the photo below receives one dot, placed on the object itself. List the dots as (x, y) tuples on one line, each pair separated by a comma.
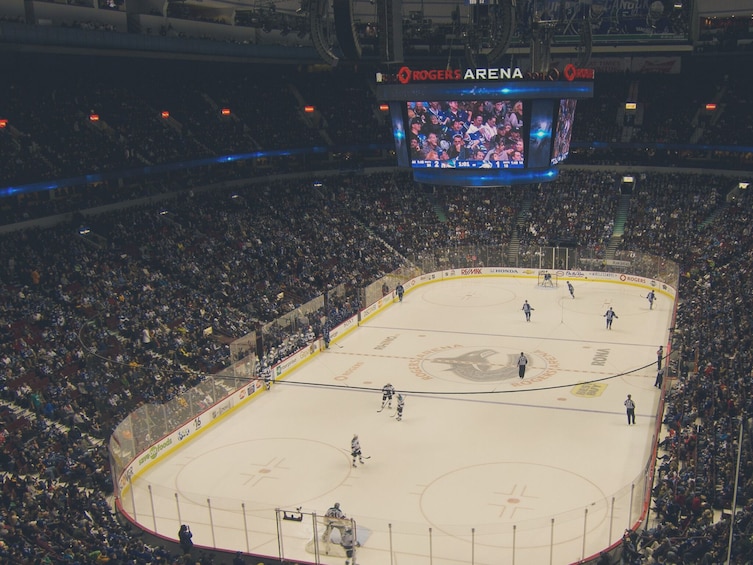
[(482, 127)]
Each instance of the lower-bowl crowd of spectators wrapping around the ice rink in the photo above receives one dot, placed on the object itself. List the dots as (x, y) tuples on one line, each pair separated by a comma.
[(88, 335)]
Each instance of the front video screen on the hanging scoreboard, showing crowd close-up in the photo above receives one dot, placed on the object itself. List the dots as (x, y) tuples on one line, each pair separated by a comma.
[(467, 134)]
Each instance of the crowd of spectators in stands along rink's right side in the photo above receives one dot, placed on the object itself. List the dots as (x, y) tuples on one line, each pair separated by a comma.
[(706, 409)]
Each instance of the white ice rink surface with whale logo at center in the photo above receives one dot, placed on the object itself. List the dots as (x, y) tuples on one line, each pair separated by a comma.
[(485, 467)]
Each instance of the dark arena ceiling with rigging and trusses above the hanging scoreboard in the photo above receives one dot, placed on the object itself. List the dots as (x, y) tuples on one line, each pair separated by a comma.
[(356, 29)]
